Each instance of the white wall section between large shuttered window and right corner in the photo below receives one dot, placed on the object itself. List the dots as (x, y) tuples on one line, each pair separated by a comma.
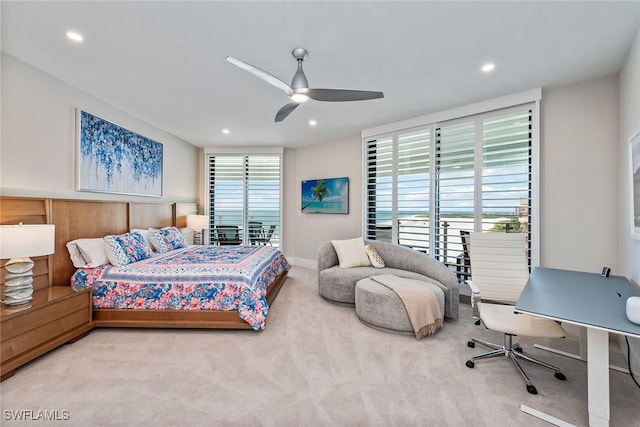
[(579, 163)]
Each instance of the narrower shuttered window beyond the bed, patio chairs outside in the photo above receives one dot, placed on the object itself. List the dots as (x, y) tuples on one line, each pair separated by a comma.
[(244, 196)]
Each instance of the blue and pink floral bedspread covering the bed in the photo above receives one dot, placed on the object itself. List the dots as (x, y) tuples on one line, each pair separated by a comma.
[(193, 278)]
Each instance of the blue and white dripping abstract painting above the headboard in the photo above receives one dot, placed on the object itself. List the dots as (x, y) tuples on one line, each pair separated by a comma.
[(112, 159)]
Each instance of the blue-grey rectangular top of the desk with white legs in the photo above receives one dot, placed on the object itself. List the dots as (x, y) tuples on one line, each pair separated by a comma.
[(583, 298)]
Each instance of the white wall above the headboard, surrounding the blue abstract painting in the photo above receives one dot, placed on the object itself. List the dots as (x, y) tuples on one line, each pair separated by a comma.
[(37, 152)]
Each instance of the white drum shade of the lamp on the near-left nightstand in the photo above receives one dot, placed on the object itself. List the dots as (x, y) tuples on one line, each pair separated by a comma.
[(29, 240)]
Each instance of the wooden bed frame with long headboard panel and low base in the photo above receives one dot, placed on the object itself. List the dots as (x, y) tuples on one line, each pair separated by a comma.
[(76, 219)]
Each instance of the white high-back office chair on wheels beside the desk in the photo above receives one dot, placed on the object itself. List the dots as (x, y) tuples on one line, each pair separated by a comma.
[(499, 272)]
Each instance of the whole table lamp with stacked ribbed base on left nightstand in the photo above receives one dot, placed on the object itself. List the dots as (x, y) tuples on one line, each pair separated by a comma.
[(18, 243)]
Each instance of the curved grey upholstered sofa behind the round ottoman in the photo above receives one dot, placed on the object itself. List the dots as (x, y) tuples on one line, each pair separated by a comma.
[(337, 284)]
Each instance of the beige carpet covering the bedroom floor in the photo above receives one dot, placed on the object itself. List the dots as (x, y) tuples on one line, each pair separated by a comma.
[(315, 364)]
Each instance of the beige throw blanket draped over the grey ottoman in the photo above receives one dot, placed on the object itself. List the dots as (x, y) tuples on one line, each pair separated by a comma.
[(421, 304)]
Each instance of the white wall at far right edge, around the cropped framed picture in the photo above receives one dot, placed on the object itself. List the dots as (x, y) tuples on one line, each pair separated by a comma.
[(629, 124)]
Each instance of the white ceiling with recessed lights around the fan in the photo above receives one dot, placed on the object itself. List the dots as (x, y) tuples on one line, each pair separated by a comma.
[(164, 61)]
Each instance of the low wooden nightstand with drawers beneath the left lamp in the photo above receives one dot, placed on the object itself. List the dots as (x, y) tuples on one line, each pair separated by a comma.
[(56, 315)]
